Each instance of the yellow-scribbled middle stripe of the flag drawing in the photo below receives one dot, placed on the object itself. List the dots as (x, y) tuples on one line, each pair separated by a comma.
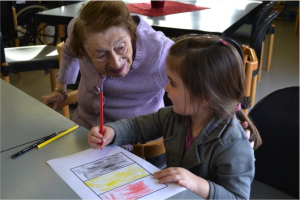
[(116, 178)]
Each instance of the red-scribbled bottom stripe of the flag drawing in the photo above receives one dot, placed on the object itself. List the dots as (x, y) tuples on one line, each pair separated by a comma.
[(130, 191)]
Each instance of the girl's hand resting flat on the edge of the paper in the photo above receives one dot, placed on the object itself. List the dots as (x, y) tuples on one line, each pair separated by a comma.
[(185, 178)]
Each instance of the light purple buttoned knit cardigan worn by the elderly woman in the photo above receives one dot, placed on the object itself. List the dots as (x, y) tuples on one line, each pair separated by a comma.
[(139, 92)]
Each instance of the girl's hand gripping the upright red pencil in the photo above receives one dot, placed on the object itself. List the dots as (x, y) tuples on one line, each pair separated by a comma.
[(95, 139)]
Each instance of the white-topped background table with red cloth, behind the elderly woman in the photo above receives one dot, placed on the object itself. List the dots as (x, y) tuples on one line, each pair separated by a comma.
[(223, 17)]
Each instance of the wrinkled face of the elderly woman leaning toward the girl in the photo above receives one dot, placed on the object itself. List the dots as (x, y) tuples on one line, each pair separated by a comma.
[(110, 51)]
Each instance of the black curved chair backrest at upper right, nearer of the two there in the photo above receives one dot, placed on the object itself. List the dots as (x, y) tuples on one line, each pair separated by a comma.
[(259, 34)]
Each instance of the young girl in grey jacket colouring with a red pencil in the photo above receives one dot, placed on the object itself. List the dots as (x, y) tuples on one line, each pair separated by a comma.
[(207, 150)]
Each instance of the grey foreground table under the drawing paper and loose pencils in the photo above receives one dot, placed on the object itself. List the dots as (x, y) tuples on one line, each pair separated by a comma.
[(24, 119)]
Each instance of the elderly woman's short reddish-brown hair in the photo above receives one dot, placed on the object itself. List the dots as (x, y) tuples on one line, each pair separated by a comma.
[(97, 16)]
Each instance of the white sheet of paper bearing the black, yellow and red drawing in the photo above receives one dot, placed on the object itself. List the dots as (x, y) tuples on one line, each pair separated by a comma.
[(111, 173)]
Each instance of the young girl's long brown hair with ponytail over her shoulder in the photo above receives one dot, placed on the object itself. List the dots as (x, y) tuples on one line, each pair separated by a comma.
[(213, 70)]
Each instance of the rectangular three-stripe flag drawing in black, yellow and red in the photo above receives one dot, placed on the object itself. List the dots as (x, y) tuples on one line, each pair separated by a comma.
[(117, 177)]
